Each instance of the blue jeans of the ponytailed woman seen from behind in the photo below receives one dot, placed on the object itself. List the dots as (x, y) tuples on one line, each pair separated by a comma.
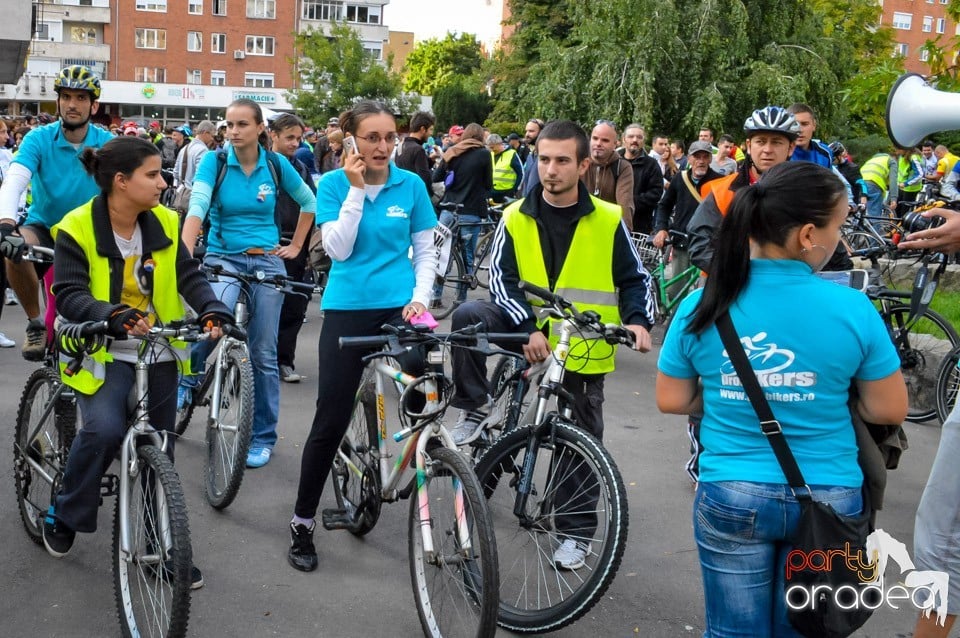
[(742, 531)]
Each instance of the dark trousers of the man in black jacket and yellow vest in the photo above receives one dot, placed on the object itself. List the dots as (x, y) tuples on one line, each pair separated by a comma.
[(578, 491)]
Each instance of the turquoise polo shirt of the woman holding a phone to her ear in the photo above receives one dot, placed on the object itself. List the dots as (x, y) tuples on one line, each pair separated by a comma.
[(378, 273)]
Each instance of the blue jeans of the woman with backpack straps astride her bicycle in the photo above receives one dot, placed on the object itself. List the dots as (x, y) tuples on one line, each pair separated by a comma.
[(263, 318)]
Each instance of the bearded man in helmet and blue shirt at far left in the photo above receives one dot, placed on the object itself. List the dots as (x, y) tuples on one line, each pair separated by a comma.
[(48, 160)]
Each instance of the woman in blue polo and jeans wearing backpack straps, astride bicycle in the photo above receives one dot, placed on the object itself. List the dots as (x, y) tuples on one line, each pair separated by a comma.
[(244, 237)]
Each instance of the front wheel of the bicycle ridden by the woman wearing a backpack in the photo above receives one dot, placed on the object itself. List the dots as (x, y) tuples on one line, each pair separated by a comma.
[(228, 440)]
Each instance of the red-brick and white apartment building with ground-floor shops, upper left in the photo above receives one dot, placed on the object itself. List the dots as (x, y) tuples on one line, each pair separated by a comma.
[(180, 61)]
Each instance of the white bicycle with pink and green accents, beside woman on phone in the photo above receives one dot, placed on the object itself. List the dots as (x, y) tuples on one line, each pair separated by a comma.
[(452, 551)]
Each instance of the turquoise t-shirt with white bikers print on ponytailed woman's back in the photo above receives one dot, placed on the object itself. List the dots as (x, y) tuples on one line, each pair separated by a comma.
[(808, 340)]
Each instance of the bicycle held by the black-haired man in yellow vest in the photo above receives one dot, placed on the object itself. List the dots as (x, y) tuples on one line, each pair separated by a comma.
[(540, 477)]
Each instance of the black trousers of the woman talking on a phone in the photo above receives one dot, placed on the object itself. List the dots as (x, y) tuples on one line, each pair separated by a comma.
[(337, 384)]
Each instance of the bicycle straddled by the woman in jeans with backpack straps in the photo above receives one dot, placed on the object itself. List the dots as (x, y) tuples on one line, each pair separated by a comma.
[(227, 390)]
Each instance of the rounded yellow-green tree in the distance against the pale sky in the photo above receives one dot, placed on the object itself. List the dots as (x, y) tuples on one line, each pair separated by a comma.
[(434, 63)]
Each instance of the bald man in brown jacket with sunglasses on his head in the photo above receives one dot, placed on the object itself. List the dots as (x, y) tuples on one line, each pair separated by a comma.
[(609, 176)]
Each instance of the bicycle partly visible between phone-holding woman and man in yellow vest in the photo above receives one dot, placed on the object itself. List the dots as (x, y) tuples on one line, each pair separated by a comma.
[(450, 288)]
